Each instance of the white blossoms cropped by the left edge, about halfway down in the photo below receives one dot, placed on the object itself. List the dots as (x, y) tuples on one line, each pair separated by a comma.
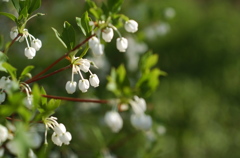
[(5, 84)]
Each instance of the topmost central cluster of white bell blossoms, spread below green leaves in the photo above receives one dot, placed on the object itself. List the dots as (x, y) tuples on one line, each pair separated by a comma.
[(107, 35)]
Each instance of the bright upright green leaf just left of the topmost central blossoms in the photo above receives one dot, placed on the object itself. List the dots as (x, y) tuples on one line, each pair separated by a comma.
[(83, 23)]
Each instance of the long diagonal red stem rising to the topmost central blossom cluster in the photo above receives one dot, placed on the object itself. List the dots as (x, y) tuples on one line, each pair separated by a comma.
[(62, 57)]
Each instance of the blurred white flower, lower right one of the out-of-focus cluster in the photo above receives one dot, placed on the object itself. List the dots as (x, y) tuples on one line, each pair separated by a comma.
[(141, 121)]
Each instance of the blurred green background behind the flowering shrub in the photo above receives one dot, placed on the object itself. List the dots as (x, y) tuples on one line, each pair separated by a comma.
[(196, 109)]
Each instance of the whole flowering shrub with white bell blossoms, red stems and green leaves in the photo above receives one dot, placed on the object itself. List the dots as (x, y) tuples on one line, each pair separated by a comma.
[(24, 104)]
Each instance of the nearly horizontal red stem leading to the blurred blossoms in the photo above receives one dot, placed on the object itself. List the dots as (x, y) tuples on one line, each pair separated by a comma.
[(76, 99)]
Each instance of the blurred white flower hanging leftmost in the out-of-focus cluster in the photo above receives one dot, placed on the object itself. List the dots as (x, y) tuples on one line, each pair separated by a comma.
[(113, 120)]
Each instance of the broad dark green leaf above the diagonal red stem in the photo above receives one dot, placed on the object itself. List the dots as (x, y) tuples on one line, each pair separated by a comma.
[(68, 35)]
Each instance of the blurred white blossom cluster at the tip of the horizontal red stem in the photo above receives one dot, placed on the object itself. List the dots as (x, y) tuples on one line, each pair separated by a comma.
[(139, 119)]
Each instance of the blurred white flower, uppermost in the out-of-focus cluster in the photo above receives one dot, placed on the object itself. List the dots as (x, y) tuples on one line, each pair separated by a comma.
[(139, 105)]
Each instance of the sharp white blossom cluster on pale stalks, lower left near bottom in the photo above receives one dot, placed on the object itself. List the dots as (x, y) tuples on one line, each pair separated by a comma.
[(60, 135)]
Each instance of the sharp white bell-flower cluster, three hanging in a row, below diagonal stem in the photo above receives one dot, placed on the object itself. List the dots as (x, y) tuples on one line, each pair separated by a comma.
[(80, 64)]
